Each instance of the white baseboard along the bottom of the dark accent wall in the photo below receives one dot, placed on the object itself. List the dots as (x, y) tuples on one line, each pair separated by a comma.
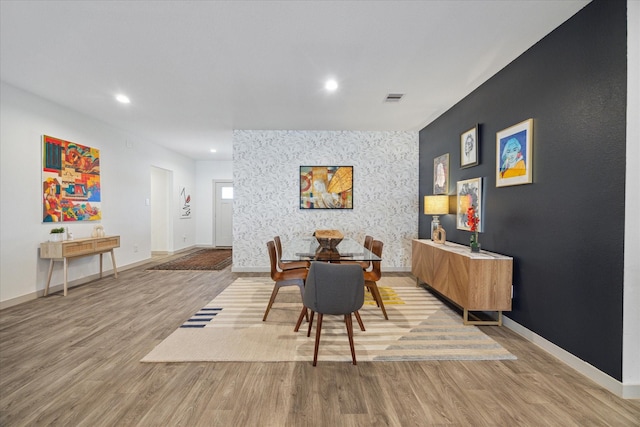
[(625, 391)]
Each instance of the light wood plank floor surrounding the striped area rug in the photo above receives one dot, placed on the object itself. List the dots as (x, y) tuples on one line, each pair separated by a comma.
[(74, 361)]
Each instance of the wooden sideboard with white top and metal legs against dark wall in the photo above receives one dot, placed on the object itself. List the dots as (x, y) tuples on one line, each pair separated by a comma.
[(474, 281)]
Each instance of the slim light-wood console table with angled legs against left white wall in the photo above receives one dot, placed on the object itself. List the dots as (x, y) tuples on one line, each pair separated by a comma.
[(63, 251)]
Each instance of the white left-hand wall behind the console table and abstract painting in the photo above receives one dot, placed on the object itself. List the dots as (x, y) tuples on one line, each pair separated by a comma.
[(125, 162)]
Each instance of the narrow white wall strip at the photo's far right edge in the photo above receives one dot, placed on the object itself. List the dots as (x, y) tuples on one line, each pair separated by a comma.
[(631, 310)]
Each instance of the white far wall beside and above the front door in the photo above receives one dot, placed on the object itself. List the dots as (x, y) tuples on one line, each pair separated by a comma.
[(206, 172)]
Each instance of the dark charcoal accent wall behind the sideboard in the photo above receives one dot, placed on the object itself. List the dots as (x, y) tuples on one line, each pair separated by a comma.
[(565, 231)]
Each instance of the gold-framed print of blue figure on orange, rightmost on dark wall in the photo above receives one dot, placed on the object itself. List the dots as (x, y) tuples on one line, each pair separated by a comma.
[(514, 155)]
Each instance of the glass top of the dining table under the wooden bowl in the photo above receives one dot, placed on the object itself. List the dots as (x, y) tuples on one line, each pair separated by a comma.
[(308, 249)]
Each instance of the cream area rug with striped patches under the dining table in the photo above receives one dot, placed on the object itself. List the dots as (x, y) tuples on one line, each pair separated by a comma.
[(230, 328)]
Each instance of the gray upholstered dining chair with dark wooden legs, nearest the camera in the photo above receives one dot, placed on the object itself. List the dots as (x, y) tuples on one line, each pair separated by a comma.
[(334, 289)]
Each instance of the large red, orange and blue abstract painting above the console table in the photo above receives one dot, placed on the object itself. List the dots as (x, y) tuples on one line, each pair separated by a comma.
[(70, 181)]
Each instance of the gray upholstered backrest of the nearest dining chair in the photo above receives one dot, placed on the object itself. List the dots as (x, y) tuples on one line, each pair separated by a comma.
[(334, 288)]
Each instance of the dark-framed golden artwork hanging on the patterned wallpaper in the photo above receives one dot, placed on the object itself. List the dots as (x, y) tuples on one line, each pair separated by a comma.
[(326, 187)]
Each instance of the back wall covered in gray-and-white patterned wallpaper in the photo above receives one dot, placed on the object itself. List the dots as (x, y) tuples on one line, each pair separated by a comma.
[(266, 167)]
